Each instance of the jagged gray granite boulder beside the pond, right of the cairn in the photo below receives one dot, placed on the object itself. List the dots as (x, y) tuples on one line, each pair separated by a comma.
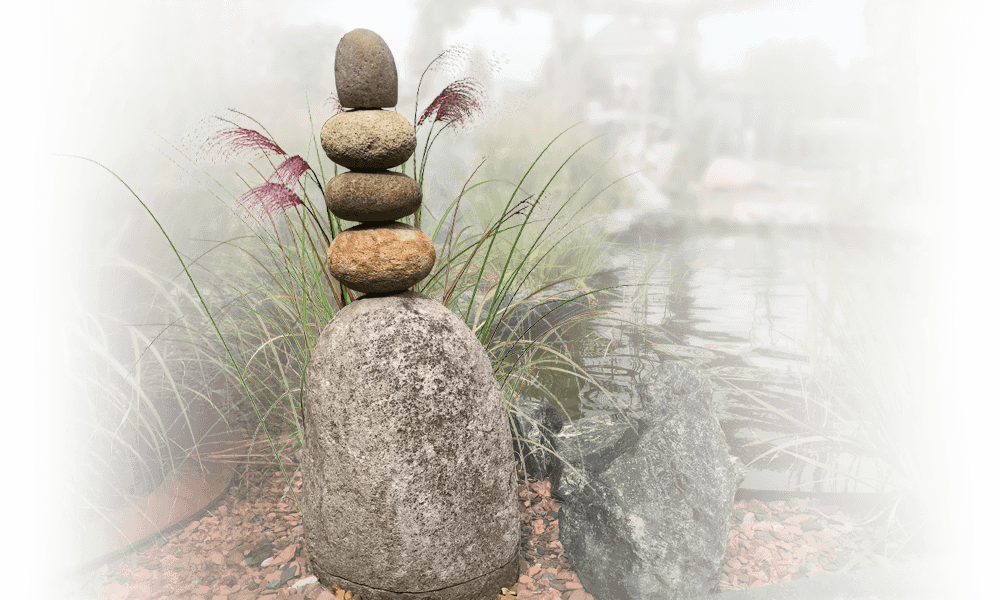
[(647, 498)]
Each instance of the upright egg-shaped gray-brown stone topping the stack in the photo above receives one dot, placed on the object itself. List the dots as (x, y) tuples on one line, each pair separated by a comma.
[(365, 71)]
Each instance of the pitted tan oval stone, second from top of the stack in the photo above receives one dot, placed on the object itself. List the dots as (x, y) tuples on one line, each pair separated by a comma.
[(368, 140)]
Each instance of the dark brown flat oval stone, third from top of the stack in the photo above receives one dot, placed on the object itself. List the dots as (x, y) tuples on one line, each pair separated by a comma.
[(381, 196)]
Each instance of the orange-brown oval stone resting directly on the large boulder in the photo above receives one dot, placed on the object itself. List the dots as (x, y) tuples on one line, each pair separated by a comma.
[(376, 258)]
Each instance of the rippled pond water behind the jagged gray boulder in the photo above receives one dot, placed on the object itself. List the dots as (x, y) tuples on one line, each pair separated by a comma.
[(731, 303)]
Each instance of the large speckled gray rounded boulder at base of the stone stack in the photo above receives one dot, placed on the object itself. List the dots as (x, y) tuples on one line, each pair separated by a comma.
[(409, 484)]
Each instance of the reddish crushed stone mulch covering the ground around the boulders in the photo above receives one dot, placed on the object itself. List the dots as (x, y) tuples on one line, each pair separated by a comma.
[(249, 546)]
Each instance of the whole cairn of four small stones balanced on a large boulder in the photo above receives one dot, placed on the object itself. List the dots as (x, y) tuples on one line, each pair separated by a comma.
[(408, 467)]
